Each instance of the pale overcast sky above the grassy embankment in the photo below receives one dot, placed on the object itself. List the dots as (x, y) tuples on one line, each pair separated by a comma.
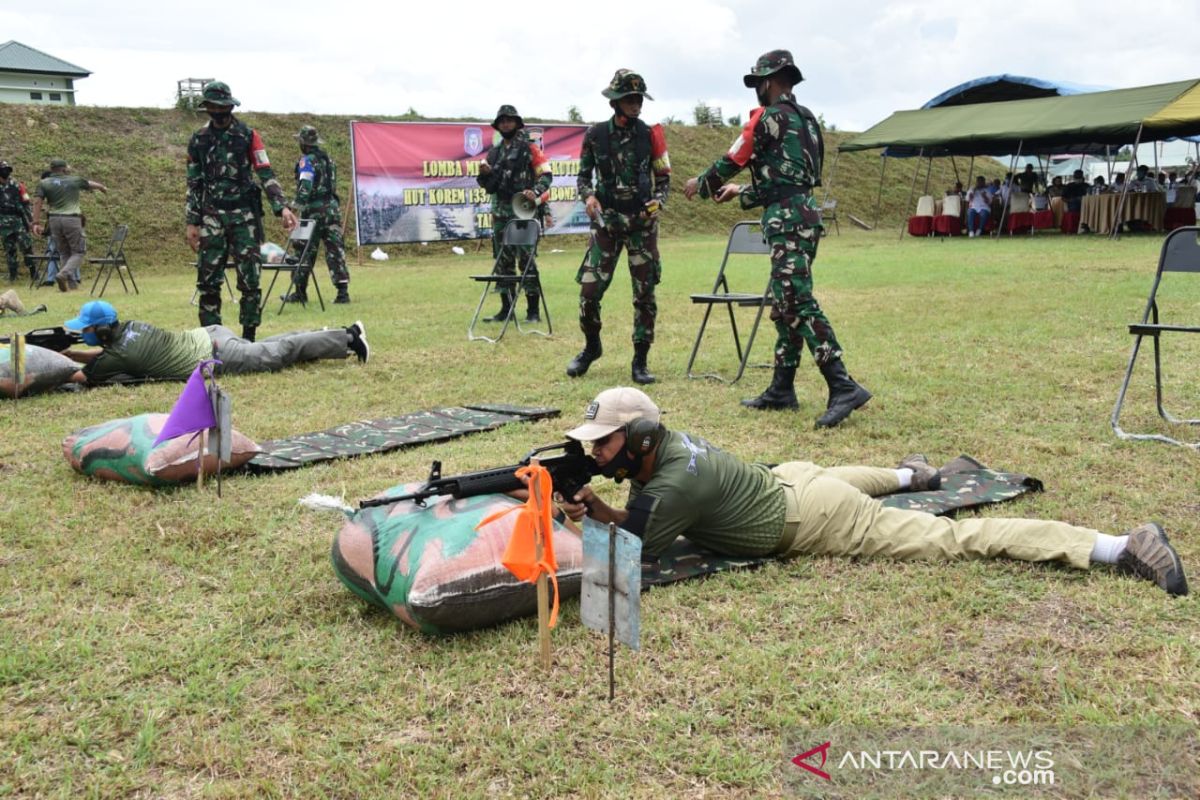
[(461, 58)]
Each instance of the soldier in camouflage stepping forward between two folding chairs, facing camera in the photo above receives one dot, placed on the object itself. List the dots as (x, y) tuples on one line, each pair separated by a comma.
[(634, 177)]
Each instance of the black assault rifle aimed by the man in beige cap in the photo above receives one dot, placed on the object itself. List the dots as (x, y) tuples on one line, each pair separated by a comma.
[(571, 472)]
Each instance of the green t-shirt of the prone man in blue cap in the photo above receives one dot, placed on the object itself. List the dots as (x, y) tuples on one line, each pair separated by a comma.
[(142, 351)]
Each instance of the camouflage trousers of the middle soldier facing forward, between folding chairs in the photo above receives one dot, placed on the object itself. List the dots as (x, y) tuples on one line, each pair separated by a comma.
[(641, 239)]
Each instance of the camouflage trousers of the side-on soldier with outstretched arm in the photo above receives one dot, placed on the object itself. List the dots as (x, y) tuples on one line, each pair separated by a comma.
[(799, 318)]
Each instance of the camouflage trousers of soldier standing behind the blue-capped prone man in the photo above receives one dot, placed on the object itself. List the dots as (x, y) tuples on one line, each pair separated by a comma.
[(235, 236)]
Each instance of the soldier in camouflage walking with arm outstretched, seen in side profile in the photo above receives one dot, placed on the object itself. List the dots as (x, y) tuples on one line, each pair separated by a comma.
[(782, 145)]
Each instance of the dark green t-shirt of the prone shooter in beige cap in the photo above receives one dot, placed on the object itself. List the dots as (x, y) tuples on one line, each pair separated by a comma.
[(711, 497)]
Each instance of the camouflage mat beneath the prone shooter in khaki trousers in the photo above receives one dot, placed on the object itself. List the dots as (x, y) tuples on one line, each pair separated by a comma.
[(967, 484)]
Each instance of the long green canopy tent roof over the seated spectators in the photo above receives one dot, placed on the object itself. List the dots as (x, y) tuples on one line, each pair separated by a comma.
[(1046, 125)]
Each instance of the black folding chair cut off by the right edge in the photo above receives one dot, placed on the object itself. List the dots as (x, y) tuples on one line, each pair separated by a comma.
[(1181, 254)]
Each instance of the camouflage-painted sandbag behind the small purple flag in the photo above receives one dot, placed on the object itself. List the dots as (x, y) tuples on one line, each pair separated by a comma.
[(123, 450)]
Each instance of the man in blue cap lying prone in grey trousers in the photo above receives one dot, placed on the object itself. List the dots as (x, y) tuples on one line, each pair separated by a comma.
[(134, 351)]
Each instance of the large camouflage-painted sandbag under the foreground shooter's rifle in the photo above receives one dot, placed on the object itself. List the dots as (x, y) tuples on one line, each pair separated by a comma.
[(436, 573)]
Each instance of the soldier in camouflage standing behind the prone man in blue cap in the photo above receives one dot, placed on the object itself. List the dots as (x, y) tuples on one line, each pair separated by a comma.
[(225, 207)]
